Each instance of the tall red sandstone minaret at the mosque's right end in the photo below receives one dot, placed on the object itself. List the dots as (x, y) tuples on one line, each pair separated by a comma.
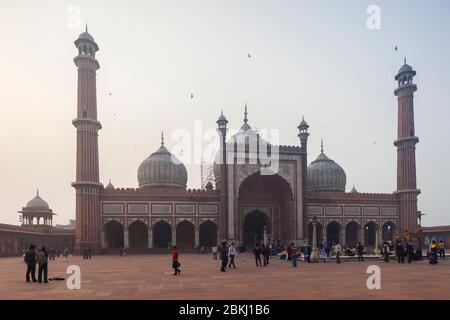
[(406, 150)]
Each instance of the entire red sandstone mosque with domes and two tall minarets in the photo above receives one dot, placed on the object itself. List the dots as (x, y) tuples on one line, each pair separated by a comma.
[(243, 205)]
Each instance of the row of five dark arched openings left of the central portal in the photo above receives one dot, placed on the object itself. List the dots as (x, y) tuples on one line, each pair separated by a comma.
[(160, 236)]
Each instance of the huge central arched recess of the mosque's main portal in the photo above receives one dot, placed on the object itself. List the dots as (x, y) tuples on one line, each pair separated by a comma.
[(273, 193)]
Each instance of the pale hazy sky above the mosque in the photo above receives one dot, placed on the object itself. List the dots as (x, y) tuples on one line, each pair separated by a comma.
[(316, 58)]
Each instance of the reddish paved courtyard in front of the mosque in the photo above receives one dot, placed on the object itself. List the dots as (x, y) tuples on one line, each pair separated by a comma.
[(150, 277)]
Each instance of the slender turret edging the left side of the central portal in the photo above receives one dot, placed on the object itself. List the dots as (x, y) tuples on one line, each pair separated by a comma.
[(223, 219)]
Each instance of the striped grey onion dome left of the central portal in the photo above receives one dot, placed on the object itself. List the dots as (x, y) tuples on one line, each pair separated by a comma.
[(162, 168)]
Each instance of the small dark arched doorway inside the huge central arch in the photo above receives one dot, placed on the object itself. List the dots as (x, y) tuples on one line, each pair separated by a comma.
[(254, 224)]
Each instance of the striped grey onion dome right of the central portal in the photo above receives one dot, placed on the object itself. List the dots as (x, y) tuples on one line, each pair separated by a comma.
[(326, 175)]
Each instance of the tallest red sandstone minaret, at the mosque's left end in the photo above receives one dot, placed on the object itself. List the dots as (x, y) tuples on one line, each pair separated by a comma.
[(87, 186)]
